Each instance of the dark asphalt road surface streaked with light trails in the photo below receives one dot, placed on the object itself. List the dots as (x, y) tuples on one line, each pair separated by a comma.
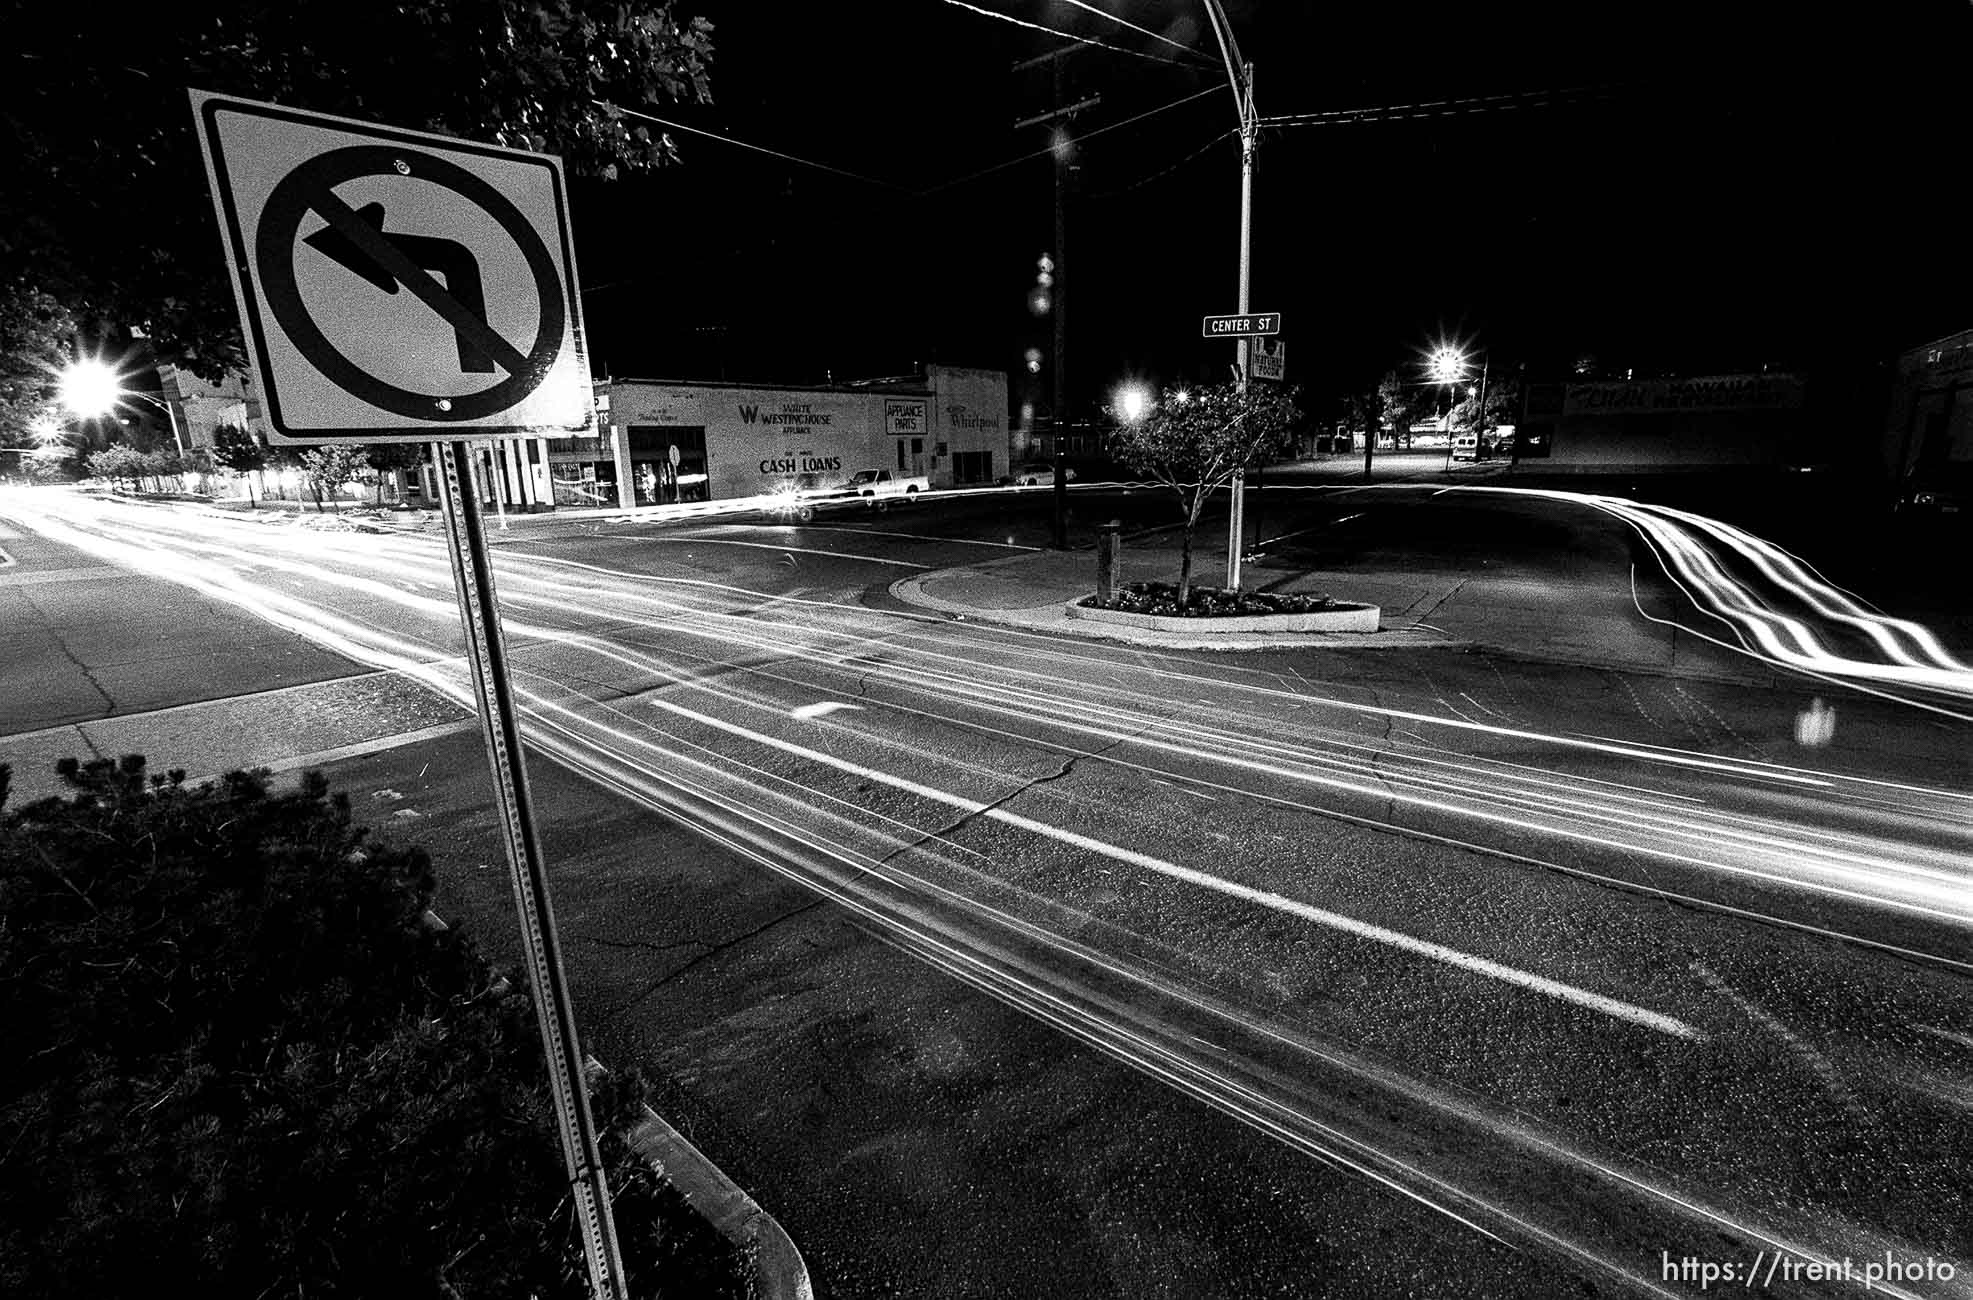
[(1522, 977)]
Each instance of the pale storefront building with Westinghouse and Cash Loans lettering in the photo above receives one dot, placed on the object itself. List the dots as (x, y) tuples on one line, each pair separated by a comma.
[(664, 443)]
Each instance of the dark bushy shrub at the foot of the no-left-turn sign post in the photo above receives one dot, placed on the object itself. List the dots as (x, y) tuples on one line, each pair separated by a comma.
[(244, 1062)]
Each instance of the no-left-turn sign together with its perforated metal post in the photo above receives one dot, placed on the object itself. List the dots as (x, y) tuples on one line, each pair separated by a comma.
[(403, 287)]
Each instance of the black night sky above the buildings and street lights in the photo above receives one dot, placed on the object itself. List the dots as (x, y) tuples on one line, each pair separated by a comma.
[(1674, 188)]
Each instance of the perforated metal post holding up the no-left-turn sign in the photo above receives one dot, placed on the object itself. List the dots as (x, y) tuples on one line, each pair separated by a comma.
[(486, 658)]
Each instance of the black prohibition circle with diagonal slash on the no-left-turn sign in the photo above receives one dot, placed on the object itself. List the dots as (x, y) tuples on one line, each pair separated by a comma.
[(358, 242)]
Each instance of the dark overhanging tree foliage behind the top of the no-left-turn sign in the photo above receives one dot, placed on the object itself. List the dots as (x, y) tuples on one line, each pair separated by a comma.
[(104, 200)]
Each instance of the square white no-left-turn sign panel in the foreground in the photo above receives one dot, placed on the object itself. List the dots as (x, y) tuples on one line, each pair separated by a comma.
[(396, 285)]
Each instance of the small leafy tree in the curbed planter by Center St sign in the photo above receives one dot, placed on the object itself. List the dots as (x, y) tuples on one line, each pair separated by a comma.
[(1197, 439)]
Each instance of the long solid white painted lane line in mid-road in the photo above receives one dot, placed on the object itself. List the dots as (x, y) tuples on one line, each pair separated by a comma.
[(1321, 916)]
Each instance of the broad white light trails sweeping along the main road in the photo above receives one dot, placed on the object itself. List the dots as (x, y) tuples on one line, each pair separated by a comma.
[(763, 719)]
